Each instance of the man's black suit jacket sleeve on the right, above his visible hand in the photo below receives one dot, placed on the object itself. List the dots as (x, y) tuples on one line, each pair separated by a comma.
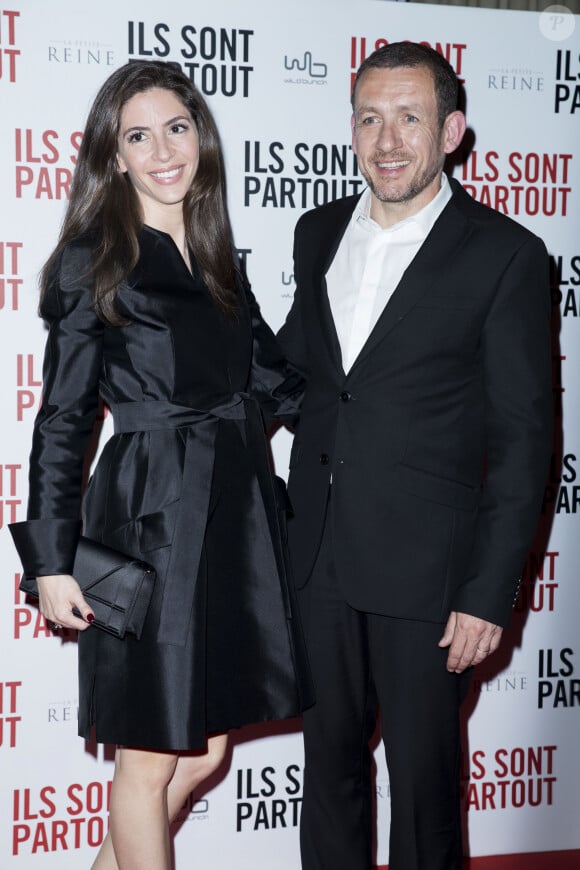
[(516, 348)]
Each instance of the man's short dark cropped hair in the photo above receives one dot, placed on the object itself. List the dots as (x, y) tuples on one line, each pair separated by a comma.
[(413, 54)]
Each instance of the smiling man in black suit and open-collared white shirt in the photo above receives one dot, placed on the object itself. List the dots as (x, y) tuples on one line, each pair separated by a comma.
[(421, 321)]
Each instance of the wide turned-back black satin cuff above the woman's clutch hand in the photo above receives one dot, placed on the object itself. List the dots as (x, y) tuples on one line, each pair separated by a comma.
[(46, 546)]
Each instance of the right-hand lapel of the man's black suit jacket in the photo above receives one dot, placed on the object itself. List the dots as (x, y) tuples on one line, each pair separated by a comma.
[(450, 231)]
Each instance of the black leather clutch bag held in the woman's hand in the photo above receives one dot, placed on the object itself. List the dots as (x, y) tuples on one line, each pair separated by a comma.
[(117, 587)]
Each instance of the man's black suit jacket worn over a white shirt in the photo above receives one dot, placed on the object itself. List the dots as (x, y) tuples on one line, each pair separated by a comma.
[(437, 440)]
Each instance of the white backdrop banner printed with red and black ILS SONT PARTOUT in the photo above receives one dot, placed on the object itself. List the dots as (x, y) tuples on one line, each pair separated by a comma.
[(278, 80)]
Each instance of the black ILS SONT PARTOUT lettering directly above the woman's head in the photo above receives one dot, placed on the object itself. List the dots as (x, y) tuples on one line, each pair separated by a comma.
[(216, 59)]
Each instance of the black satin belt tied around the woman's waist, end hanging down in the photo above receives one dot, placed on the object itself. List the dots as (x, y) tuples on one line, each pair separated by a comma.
[(189, 532)]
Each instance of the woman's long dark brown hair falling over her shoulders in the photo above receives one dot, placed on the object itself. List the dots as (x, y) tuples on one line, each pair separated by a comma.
[(104, 206)]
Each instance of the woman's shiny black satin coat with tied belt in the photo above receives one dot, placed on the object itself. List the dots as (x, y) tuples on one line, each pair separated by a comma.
[(185, 484)]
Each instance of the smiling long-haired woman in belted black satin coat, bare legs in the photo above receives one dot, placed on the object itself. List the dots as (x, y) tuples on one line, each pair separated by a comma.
[(146, 308)]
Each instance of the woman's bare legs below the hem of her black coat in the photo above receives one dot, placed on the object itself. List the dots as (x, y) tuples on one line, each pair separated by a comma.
[(142, 836)]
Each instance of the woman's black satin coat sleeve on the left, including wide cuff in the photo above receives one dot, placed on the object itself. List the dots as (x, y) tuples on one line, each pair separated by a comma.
[(46, 541)]
